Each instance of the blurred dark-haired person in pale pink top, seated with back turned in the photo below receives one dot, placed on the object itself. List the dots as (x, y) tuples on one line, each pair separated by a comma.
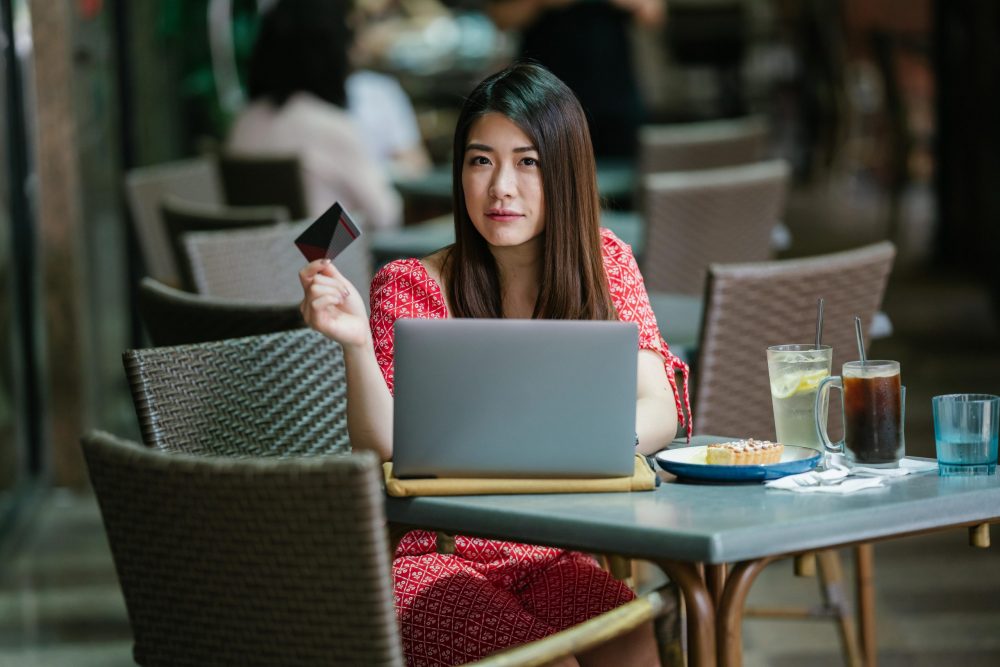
[(298, 104)]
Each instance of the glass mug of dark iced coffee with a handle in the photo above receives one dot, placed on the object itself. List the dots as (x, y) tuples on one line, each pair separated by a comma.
[(874, 411)]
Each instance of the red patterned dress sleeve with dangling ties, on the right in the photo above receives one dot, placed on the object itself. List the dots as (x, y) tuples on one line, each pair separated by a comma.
[(628, 291)]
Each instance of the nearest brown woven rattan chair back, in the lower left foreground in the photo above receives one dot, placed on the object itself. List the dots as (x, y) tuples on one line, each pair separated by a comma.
[(248, 562)]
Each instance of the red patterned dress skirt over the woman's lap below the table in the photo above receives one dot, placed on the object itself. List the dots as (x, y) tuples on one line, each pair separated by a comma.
[(454, 610)]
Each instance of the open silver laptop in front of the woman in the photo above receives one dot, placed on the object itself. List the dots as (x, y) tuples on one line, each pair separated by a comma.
[(514, 398)]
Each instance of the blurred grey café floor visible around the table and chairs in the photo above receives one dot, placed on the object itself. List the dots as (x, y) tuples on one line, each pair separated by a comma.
[(938, 600)]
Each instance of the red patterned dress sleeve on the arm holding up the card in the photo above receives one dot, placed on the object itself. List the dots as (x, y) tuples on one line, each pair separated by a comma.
[(401, 289)]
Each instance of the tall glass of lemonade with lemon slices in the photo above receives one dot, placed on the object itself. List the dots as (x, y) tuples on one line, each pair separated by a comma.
[(795, 372)]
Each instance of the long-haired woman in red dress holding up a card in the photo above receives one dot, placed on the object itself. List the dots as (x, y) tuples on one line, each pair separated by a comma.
[(527, 245)]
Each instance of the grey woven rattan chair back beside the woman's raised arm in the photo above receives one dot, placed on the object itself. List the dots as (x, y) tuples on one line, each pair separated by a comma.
[(282, 394)]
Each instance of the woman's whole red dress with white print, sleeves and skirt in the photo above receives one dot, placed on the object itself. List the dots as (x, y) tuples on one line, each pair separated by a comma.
[(490, 595)]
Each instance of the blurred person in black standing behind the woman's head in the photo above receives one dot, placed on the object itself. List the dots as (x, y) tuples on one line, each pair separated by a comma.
[(586, 43)]
